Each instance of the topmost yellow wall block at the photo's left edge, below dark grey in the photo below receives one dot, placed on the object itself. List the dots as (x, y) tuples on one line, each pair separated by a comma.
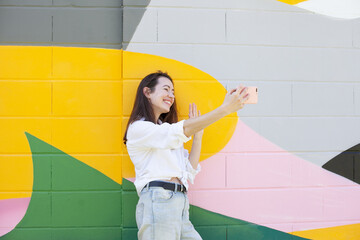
[(25, 62)]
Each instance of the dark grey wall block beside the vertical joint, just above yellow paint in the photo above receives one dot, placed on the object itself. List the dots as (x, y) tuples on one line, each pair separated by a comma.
[(77, 25)]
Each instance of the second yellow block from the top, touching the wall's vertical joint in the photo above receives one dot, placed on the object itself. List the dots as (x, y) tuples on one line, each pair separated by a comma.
[(87, 98)]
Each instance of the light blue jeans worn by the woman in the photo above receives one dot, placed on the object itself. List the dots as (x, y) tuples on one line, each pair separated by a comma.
[(164, 215)]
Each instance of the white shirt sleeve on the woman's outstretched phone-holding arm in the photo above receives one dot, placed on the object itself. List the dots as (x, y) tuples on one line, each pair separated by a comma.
[(149, 135)]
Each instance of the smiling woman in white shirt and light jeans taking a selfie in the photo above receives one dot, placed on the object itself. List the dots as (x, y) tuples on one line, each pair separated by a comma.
[(154, 139)]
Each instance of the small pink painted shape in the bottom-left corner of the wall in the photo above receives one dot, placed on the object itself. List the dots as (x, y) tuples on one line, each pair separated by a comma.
[(11, 213)]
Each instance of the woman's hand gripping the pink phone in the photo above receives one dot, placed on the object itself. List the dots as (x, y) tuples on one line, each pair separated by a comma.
[(235, 99)]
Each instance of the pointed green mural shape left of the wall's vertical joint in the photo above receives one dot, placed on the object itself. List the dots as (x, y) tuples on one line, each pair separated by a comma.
[(79, 196)]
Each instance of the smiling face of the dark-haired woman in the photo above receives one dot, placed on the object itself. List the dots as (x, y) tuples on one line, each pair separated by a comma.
[(162, 98)]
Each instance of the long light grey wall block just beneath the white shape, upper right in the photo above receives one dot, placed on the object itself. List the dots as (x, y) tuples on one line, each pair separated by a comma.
[(284, 28)]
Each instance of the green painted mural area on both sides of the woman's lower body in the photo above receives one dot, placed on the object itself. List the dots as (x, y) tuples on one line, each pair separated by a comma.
[(66, 211)]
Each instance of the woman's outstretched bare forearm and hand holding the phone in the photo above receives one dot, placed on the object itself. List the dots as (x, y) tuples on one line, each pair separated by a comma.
[(234, 101)]
